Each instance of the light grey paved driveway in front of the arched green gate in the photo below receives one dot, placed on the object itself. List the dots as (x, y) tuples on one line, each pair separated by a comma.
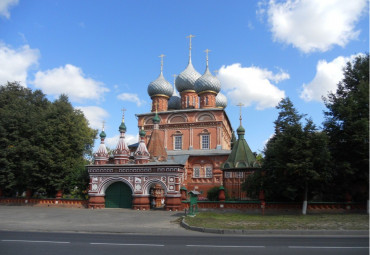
[(28, 218)]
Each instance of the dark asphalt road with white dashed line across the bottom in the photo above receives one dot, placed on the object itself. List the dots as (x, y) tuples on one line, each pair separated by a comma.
[(78, 243)]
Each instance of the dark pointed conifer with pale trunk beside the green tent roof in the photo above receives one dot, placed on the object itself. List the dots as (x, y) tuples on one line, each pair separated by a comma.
[(296, 157)]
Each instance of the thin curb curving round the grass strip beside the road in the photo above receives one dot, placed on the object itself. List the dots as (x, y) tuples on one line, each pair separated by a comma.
[(276, 232)]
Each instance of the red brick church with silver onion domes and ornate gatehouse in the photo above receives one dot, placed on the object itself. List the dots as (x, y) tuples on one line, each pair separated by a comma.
[(184, 142)]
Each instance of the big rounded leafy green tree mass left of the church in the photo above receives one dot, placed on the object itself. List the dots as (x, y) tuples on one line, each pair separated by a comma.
[(43, 143)]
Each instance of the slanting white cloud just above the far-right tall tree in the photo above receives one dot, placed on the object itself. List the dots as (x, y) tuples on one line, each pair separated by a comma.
[(328, 75)]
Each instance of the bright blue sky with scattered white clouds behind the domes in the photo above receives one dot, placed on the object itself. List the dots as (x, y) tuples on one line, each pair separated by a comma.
[(104, 54)]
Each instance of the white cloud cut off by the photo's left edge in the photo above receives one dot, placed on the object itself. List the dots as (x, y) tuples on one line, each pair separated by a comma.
[(14, 63)]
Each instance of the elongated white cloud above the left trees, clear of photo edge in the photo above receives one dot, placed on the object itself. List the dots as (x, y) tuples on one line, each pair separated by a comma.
[(69, 80)]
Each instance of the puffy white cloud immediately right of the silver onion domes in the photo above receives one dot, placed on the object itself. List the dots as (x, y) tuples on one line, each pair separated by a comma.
[(250, 85)]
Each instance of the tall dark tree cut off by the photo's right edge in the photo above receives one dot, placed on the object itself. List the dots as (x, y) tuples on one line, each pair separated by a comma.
[(347, 125)]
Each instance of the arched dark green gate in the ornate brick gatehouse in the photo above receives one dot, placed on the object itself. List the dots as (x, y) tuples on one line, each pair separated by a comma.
[(118, 195)]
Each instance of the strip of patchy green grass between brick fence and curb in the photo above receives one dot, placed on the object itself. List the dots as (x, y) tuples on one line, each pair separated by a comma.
[(279, 222)]
